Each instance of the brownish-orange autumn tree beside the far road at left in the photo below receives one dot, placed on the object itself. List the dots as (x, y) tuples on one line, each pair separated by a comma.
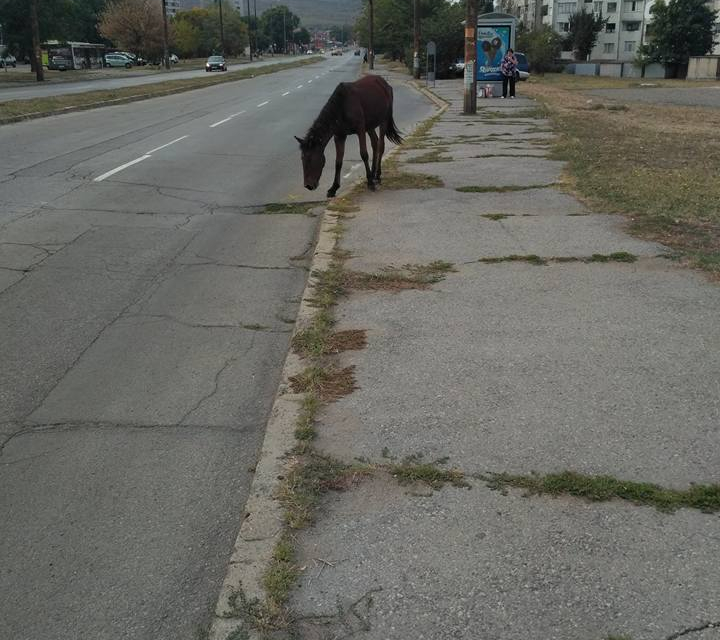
[(135, 25)]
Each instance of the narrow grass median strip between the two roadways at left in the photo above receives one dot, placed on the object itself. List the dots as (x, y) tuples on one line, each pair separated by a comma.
[(13, 110)]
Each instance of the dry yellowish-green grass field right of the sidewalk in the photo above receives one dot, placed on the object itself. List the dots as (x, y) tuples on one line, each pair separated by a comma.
[(657, 164)]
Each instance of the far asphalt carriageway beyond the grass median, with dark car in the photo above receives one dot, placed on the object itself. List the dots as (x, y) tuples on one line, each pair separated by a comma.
[(125, 78)]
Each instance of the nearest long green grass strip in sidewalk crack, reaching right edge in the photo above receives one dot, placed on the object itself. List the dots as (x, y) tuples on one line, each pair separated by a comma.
[(603, 488)]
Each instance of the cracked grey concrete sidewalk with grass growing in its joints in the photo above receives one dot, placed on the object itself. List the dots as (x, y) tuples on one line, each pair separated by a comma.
[(549, 361)]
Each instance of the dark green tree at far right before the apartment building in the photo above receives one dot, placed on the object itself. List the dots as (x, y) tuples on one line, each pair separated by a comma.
[(679, 29)]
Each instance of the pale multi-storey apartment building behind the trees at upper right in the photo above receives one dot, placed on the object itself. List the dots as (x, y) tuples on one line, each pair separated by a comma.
[(626, 28)]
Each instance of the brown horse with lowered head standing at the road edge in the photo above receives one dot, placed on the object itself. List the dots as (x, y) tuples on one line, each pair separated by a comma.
[(354, 108)]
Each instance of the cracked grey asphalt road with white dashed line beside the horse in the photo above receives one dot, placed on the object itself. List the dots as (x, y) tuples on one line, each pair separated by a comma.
[(146, 305)]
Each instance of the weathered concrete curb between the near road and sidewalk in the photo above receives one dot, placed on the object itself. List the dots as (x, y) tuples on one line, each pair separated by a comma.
[(264, 522)]
